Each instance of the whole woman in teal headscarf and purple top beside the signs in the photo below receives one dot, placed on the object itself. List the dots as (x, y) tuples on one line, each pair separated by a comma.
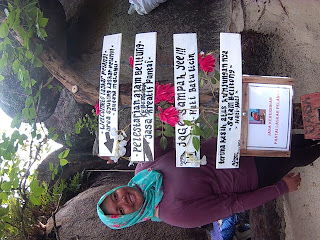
[(192, 197)]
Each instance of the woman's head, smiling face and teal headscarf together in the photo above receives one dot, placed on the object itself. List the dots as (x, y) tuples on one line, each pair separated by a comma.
[(137, 202)]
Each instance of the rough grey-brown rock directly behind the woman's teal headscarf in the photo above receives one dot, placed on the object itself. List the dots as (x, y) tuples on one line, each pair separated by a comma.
[(78, 219)]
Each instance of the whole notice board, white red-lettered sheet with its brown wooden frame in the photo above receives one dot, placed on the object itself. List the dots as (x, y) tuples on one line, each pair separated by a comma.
[(266, 116)]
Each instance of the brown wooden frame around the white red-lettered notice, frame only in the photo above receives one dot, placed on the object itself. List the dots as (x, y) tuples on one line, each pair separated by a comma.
[(245, 116)]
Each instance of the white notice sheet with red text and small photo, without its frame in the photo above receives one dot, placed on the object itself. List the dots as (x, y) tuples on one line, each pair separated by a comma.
[(269, 117)]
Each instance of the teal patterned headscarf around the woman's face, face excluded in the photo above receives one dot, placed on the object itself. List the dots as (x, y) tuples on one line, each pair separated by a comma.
[(150, 183)]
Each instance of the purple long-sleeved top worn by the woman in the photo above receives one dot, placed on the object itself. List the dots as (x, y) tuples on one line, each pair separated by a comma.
[(197, 196)]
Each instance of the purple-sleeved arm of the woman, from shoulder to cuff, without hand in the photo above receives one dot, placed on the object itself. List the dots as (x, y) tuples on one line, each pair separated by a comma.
[(212, 208)]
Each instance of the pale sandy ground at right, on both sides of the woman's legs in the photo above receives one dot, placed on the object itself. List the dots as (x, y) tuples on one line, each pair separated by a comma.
[(296, 25)]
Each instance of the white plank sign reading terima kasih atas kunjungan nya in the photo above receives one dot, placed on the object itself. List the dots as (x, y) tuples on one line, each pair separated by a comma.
[(229, 131)]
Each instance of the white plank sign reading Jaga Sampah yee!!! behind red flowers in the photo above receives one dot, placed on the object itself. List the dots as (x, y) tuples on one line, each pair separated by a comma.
[(186, 95)]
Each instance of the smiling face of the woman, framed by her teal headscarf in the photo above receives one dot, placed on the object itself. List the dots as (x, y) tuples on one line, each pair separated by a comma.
[(124, 200)]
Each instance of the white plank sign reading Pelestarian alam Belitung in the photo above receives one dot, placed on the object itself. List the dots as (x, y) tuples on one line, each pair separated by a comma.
[(143, 83)]
